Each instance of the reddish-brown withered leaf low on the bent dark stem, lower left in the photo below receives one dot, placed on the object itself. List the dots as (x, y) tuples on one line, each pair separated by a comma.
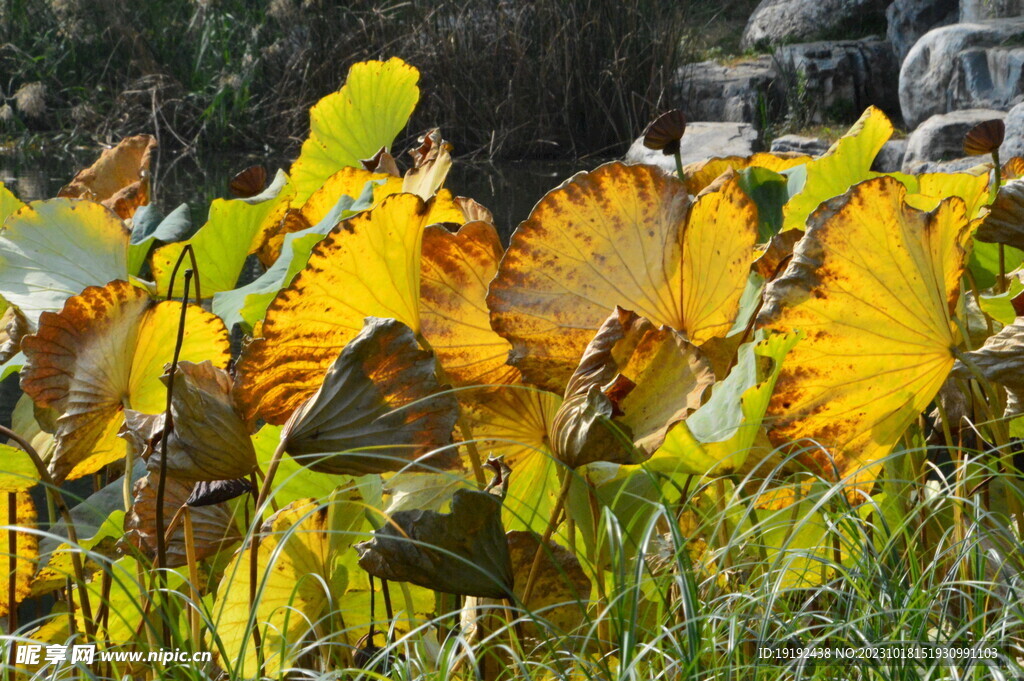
[(214, 529)]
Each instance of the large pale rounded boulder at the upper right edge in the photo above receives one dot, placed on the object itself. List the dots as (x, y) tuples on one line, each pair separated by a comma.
[(964, 66)]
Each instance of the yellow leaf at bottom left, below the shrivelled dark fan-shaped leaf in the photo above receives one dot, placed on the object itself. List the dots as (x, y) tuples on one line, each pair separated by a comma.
[(301, 577)]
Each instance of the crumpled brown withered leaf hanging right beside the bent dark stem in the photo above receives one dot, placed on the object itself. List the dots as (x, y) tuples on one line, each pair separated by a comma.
[(209, 442)]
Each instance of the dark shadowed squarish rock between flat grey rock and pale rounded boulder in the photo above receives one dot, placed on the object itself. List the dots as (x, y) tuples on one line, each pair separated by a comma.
[(838, 80)]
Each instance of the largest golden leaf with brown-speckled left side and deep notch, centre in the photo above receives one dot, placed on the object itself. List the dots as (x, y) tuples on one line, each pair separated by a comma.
[(621, 236)]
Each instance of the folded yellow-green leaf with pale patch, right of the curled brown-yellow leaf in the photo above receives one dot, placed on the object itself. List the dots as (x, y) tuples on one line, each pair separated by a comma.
[(722, 435)]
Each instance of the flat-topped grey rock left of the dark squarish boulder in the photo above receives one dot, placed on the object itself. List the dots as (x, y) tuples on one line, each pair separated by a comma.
[(743, 93)]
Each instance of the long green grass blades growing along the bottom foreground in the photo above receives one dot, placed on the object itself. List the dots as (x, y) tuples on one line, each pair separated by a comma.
[(701, 580)]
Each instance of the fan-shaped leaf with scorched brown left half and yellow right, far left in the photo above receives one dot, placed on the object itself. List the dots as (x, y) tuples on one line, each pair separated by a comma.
[(103, 354)]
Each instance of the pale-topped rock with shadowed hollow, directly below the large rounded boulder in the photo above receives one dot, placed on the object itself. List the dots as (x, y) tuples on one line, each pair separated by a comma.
[(941, 141)]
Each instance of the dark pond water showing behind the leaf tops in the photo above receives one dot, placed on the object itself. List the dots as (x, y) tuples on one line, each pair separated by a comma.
[(509, 189)]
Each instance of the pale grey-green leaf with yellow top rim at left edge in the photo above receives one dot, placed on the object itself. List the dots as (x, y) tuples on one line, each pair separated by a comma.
[(53, 250)]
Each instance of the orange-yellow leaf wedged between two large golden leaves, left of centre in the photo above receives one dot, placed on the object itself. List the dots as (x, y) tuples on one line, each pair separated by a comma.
[(456, 271)]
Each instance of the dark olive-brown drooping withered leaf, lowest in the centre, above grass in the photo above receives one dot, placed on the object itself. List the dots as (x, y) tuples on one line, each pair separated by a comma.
[(463, 552)]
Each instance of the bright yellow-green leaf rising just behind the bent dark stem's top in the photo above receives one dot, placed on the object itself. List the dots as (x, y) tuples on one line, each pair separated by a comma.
[(235, 229)]
